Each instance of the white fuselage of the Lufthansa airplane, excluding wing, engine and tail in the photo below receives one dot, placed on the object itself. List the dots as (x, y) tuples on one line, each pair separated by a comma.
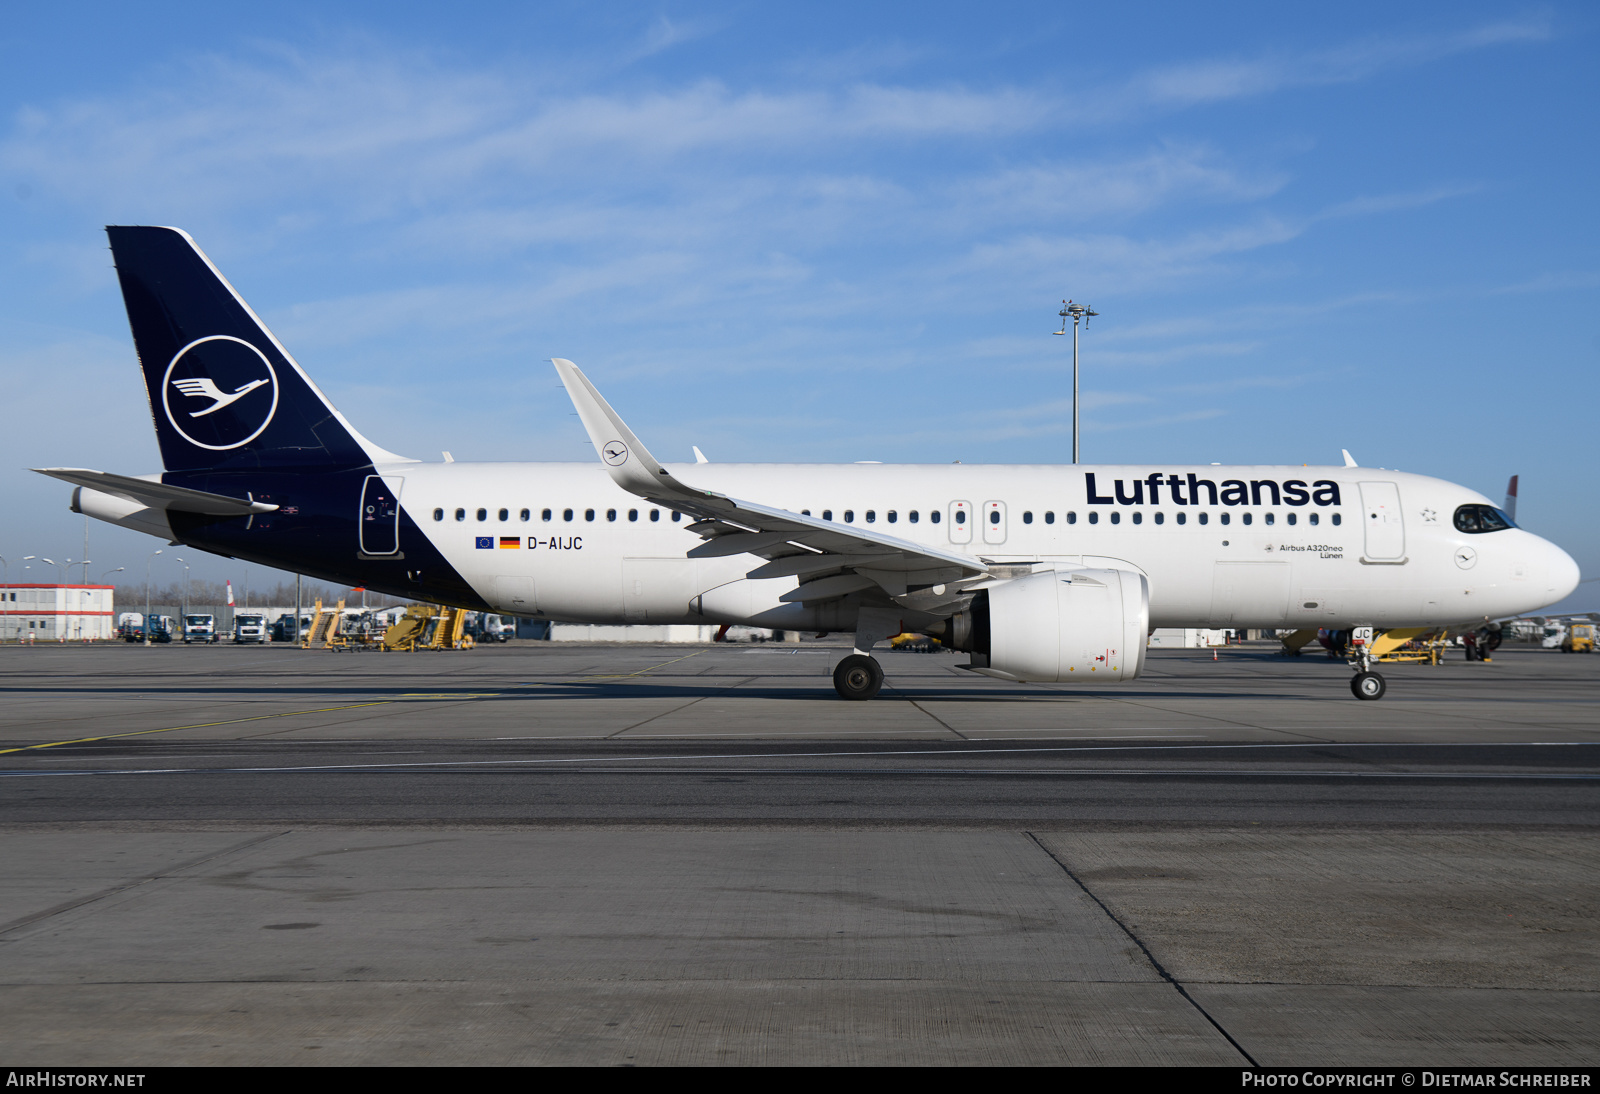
[(1258, 548)]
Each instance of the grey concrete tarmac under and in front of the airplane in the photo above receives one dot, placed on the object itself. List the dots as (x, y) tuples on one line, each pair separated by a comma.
[(628, 855)]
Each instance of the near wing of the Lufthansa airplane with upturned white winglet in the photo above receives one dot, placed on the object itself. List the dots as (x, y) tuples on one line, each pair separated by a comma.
[(831, 561)]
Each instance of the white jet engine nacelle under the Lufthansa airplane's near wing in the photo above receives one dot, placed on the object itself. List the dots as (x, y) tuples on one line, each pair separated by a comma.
[(1058, 626)]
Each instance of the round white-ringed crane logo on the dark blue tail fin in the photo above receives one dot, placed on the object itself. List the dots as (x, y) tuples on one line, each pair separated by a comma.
[(220, 393)]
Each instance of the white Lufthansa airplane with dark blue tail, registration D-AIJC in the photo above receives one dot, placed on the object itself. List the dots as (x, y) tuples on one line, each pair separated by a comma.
[(1041, 573)]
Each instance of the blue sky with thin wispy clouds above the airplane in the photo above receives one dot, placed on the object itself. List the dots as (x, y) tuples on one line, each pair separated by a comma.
[(830, 233)]
